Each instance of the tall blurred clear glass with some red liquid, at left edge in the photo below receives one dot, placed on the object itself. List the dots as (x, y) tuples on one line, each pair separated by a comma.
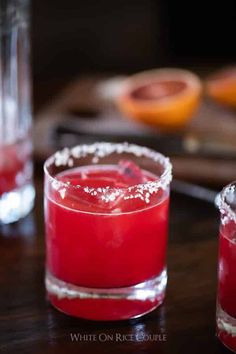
[(16, 188)]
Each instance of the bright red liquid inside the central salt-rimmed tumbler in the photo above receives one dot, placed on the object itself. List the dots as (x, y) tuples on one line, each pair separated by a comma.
[(95, 244)]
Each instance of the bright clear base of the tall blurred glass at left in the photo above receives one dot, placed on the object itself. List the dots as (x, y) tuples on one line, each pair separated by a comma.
[(16, 204)]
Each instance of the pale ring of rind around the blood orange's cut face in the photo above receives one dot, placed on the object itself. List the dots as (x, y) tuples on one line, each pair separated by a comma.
[(164, 74)]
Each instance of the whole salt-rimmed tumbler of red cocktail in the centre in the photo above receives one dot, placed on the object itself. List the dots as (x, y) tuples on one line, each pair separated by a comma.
[(106, 228)]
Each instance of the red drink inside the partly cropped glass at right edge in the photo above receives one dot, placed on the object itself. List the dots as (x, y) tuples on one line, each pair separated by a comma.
[(227, 278)]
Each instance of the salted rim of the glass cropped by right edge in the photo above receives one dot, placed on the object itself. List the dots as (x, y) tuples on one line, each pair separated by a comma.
[(223, 205)]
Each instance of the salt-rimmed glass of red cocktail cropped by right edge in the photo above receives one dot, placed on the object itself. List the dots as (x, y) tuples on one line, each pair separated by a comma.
[(226, 302)]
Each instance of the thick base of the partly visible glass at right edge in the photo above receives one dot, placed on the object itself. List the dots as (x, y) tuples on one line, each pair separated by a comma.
[(226, 328)]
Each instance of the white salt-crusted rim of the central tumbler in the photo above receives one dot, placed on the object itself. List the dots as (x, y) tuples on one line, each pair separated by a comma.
[(65, 157)]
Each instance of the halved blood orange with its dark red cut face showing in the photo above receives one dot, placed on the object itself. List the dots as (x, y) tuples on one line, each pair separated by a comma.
[(166, 98)]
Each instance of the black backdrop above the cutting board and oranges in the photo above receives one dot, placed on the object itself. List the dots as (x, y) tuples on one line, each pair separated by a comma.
[(73, 37)]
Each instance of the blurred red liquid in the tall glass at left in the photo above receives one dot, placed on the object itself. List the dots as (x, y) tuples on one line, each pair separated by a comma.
[(14, 166)]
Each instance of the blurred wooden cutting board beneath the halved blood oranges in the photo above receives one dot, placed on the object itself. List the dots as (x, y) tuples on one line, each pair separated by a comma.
[(85, 106)]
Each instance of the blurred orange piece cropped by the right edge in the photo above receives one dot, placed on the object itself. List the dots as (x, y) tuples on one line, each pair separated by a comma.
[(221, 86)]
